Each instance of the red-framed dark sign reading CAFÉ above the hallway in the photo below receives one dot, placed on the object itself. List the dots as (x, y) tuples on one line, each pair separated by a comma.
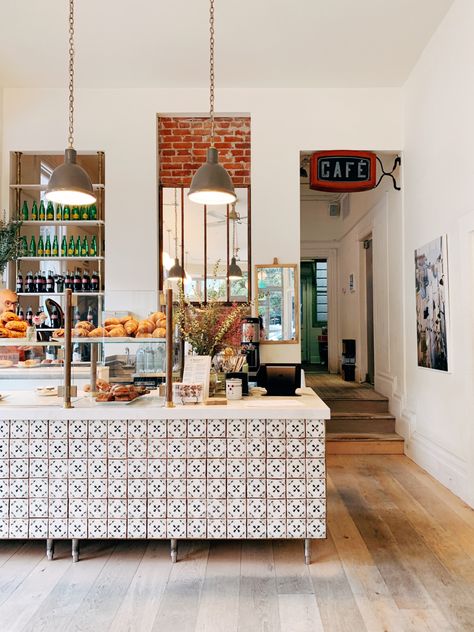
[(344, 170)]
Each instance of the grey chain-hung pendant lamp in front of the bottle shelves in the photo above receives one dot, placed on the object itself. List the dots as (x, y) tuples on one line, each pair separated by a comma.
[(70, 184)]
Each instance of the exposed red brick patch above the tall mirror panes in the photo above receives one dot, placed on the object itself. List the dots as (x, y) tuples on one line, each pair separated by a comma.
[(183, 141)]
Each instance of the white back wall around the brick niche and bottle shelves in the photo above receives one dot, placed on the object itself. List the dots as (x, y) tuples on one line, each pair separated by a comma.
[(123, 124)]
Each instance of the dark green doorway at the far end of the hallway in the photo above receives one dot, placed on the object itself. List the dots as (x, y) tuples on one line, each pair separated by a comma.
[(314, 315)]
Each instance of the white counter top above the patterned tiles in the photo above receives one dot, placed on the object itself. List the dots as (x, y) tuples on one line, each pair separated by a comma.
[(23, 404)]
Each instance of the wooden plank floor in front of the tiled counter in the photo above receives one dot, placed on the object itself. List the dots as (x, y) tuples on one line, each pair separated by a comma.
[(399, 557)]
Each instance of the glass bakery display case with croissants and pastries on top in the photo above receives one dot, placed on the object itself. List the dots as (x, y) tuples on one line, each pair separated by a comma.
[(123, 357)]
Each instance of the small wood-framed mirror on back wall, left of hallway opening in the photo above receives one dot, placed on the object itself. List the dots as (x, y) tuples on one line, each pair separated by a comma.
[(278, 302)]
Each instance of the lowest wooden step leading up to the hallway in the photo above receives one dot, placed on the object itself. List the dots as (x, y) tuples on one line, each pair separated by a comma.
[(364, 443)]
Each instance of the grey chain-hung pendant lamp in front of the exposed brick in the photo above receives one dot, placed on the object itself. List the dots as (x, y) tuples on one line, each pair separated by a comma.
[(211, 183)]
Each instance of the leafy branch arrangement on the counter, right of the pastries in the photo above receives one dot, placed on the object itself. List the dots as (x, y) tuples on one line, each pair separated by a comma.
[(210, 327)]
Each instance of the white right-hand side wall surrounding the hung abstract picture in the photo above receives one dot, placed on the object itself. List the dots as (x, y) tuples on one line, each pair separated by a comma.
[(438, 175)]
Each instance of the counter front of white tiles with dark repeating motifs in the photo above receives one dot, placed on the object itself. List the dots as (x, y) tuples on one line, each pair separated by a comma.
[(178, 476)]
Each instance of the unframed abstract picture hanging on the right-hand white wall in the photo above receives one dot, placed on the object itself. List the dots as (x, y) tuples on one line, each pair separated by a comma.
[(431, 273)]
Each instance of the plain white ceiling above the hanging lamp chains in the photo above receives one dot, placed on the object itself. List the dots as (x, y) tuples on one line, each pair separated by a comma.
[(259, 43)]
